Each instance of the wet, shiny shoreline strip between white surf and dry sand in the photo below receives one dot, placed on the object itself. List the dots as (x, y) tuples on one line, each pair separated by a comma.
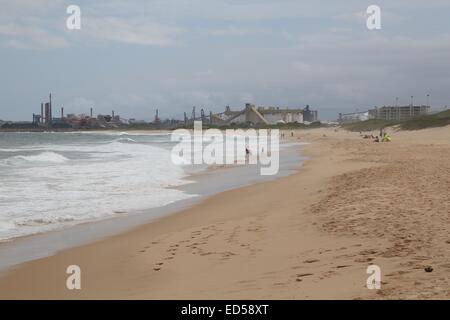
[(202, 184)]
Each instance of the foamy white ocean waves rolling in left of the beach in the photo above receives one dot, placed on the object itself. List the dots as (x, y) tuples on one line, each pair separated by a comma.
[(50, 181)]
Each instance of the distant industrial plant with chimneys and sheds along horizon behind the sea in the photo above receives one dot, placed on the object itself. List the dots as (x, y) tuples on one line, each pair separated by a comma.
[(250, 115)]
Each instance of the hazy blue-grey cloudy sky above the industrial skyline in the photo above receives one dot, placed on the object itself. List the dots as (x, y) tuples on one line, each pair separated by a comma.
[(136, 56)]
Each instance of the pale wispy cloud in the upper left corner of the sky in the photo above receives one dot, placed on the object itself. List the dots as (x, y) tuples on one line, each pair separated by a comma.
[(27, 24)]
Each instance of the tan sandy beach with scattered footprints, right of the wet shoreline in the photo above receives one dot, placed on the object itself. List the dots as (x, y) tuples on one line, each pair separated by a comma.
[(310, 235)]
